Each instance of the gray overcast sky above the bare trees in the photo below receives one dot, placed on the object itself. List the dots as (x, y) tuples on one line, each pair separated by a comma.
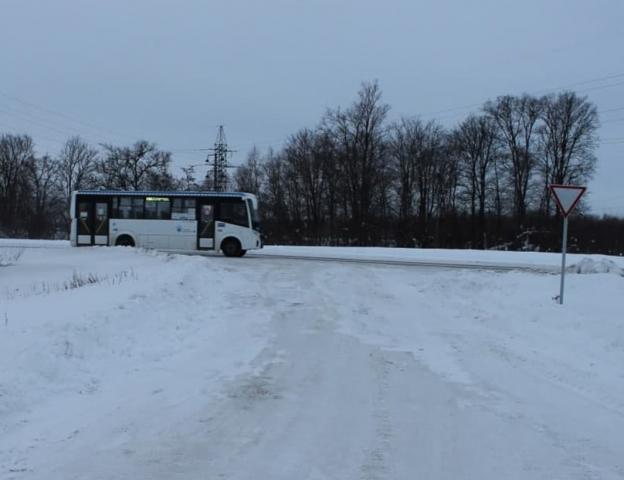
[(171, 71)]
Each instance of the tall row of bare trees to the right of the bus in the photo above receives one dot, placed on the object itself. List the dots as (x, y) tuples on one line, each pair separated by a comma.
[(358, 179)]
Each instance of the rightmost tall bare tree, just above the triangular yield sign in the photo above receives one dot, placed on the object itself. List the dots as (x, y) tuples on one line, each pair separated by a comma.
[(567, 140)]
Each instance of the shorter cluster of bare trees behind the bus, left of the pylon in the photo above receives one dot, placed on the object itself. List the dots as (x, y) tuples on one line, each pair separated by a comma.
[(35, 191)]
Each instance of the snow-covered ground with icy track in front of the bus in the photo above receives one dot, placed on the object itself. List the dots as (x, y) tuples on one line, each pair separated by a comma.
[(125, 364)]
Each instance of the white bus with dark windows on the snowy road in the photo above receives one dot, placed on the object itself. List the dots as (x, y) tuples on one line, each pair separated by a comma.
[(181, 221)]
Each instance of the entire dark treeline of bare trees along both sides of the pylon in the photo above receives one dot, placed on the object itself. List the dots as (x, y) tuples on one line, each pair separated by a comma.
[(359, 179)]
